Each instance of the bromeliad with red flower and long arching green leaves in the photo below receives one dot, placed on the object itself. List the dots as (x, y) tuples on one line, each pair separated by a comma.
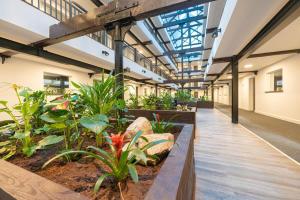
[(121, 160)]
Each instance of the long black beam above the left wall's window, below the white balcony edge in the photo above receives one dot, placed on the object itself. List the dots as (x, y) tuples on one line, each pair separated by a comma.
[(34, 51)]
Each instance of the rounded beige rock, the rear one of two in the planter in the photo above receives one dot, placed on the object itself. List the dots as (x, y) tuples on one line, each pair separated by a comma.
[(140, 124)]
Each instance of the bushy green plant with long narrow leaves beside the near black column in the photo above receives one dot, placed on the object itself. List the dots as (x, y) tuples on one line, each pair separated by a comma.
[(100, 97)]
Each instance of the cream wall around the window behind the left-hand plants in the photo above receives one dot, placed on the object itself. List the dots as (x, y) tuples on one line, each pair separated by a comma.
[(30, 74)]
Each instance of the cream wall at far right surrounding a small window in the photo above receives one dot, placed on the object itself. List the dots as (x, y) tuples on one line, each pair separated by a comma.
[(284, 105)]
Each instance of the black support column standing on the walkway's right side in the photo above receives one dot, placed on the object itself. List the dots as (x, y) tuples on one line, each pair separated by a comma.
[(235, 90)]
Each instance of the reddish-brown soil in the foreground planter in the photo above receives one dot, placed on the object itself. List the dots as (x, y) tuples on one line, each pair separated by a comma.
[(80, 176)]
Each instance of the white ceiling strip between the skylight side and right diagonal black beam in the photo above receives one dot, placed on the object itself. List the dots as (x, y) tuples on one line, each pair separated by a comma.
[(247, 19)]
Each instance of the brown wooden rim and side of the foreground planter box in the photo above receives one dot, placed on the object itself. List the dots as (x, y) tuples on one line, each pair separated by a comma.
[(175, 180)]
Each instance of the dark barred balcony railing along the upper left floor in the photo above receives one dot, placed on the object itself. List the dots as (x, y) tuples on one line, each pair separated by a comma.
[(65, 9)]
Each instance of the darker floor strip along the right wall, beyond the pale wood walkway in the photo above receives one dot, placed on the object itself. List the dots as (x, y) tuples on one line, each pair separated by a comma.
[(281, 134)]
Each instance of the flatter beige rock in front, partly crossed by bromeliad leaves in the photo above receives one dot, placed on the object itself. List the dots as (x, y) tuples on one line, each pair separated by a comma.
[(159, 148)]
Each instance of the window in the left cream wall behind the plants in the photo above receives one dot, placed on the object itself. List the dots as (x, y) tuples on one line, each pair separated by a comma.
[(55, 84)]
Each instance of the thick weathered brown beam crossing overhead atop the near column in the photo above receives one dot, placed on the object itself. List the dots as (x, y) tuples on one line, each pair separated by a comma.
[(124, 11)]
